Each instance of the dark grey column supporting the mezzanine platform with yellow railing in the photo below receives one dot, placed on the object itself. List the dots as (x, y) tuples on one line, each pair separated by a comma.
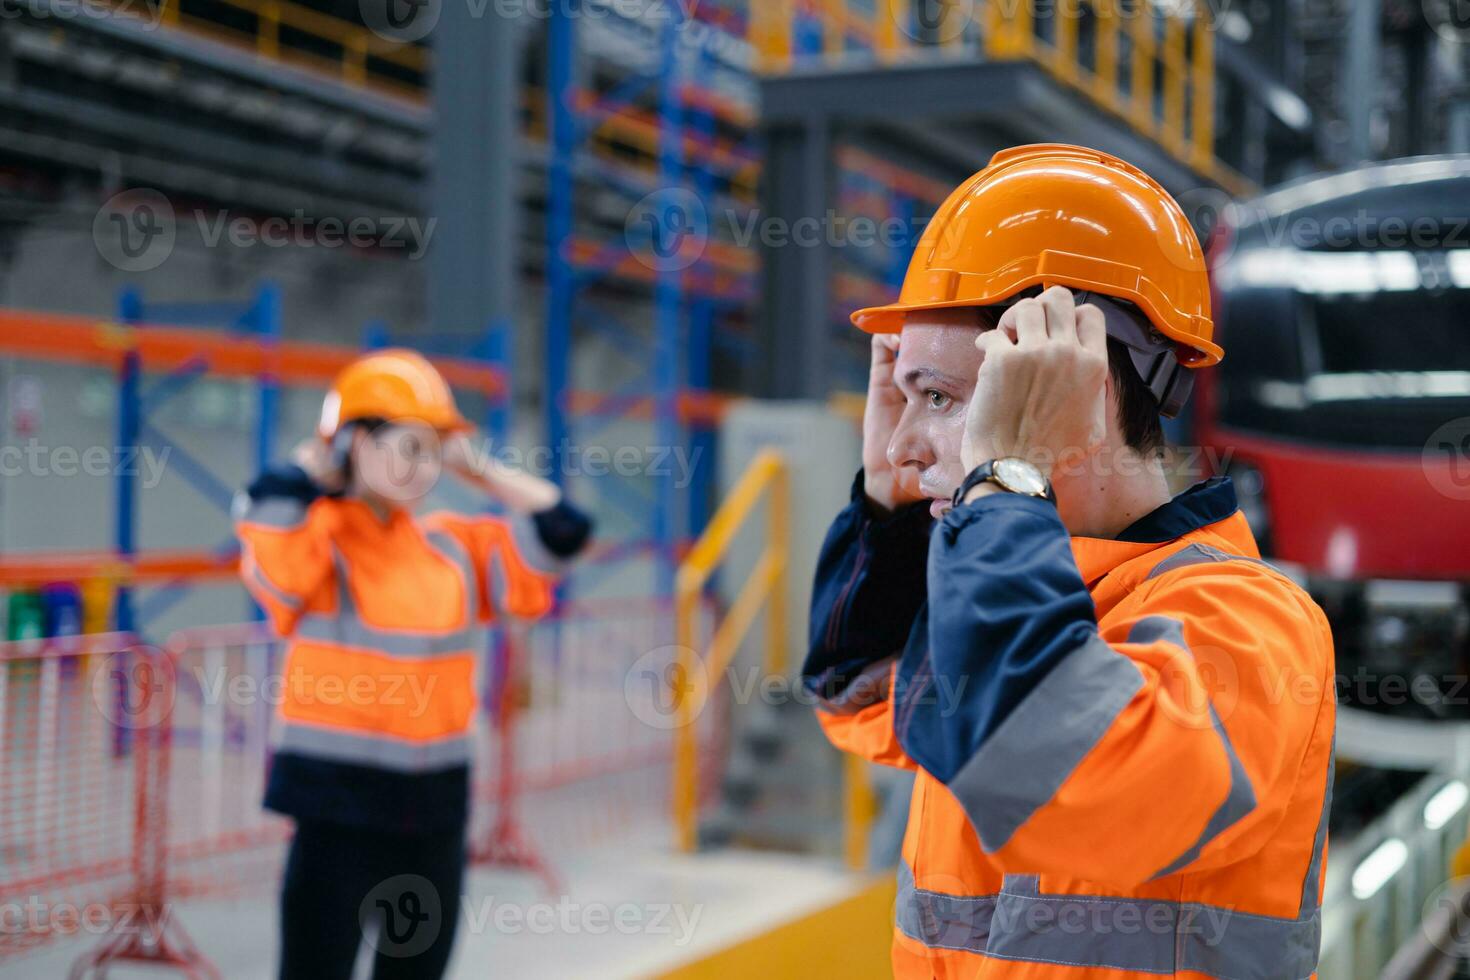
[(796, 195)]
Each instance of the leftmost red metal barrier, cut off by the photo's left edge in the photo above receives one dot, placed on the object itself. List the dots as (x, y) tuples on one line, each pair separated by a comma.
[(85, 756)]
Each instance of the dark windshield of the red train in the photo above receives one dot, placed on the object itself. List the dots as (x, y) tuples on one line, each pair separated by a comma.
[(1375, 370)]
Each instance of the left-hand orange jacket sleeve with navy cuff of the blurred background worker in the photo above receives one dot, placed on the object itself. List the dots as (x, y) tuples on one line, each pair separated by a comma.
[(284, 556)]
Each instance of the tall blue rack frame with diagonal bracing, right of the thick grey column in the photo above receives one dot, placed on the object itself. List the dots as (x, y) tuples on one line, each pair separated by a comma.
[(683, 312)]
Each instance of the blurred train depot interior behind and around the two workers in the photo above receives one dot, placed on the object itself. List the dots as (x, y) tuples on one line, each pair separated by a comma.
[(630, 234)]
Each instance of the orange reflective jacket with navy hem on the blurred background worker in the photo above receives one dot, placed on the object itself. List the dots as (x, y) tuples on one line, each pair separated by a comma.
[(384, 622)]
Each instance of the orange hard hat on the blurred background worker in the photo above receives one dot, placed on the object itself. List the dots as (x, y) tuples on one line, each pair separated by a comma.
[(392, 384)]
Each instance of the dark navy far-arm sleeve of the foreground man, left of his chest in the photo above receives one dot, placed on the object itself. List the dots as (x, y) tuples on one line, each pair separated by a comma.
[(867, 602)]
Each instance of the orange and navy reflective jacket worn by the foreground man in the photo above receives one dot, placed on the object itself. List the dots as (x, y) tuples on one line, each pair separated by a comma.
[(1124, 747)]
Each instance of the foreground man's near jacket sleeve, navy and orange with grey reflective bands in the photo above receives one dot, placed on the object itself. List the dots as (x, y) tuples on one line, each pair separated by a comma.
[(1171, 743)]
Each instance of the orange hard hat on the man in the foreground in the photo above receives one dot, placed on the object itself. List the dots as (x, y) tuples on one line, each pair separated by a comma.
[(1059, 215)]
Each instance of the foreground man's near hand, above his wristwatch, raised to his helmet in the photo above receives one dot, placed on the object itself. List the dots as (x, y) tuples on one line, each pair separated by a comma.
[(1041, 390)]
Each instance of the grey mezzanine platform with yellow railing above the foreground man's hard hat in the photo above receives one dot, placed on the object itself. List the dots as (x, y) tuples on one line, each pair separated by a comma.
[(1156, 87)]
